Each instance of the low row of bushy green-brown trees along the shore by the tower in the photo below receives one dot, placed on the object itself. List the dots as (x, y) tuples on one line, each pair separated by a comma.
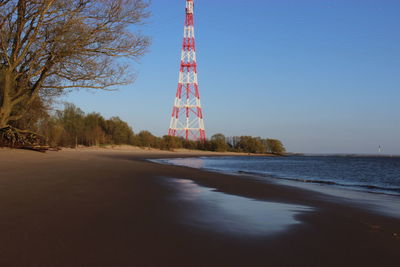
[(71, 127)]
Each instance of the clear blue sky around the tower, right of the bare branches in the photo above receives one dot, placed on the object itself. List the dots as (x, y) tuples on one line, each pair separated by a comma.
[(323, 76)]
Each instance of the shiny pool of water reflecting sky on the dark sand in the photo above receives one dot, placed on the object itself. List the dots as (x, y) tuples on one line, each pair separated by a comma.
[(216, 211)]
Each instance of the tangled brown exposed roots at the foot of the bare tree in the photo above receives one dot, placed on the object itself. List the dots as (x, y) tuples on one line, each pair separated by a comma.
[(16, 138)]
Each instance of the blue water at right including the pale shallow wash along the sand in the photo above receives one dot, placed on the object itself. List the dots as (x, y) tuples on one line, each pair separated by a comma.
[(372, 183)]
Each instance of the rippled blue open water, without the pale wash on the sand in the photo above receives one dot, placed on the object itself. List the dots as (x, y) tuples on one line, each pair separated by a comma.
[(370, 174)]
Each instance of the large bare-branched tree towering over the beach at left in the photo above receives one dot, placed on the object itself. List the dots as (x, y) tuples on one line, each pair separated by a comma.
[(48, 47)]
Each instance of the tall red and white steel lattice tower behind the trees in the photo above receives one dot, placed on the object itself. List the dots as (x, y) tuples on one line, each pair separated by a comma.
[(187, 116)]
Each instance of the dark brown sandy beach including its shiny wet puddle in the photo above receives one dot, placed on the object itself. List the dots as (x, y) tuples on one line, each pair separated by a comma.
[(113, 208)]
